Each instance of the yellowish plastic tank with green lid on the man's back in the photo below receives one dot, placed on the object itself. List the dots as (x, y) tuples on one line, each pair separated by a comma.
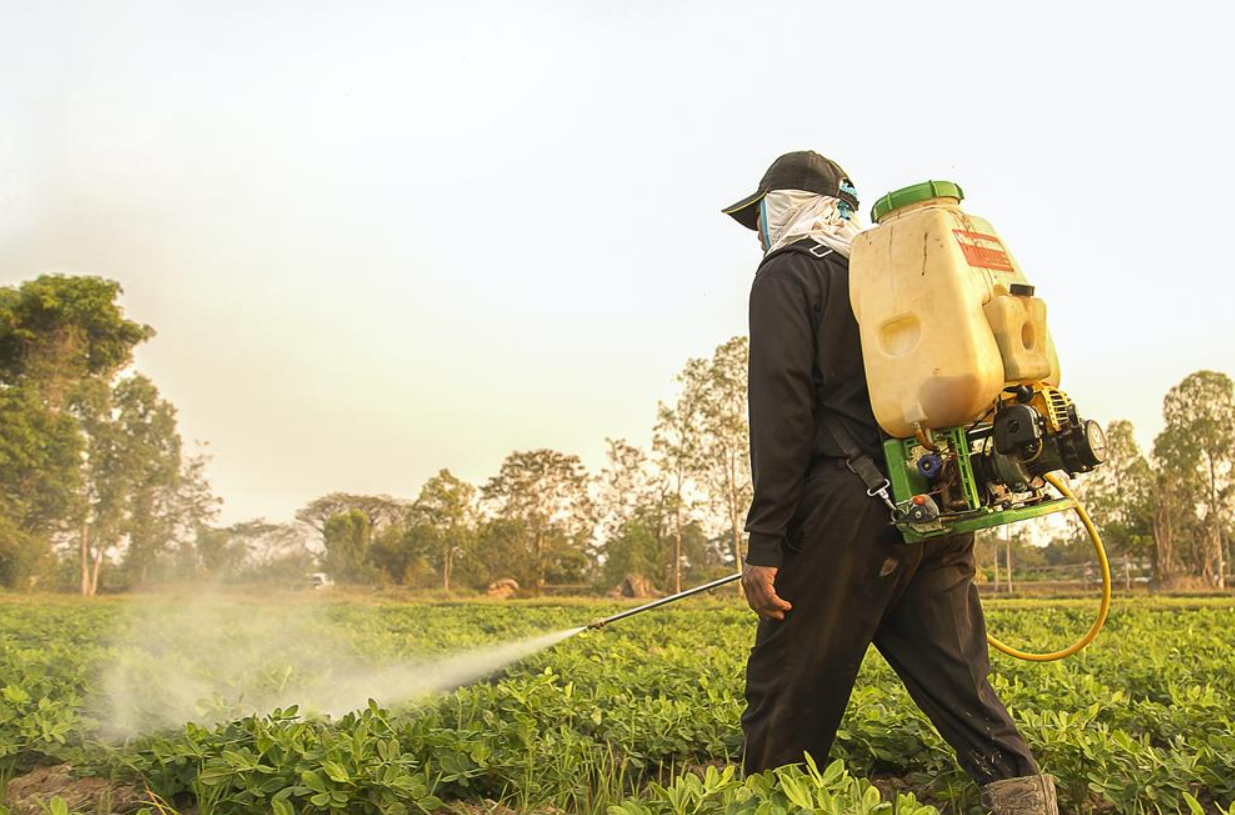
[(947, 314)]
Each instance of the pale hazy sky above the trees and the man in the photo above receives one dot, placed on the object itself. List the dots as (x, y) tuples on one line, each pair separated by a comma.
[(382, 239)]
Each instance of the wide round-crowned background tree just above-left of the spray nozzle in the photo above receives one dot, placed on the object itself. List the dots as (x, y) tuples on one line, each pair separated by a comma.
[(548, 493)]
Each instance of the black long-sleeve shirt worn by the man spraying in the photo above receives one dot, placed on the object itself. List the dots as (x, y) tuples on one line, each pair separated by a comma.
[(806, 360)]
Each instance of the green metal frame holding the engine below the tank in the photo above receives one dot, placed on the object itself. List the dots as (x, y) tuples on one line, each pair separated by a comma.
[(907, 483)]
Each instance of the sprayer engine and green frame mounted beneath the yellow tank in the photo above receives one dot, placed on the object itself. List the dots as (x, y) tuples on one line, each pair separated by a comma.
[(992, 472)]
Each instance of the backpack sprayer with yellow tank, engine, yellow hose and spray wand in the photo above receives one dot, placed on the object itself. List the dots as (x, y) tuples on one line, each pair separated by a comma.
[(964, 381)]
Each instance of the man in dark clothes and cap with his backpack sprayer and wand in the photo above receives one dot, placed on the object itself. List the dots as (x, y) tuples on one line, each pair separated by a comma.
[(907, 372)]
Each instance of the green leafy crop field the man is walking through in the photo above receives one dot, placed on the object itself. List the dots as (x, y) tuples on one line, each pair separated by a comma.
[(642, 718)]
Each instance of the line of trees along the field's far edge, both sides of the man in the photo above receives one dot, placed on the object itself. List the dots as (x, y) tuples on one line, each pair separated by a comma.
[(97, 490)]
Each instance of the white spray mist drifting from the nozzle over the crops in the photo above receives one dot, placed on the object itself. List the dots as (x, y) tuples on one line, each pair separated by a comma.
[(211, 660)]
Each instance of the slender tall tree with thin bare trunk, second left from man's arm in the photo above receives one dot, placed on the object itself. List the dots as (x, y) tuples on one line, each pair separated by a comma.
[(679, 448)]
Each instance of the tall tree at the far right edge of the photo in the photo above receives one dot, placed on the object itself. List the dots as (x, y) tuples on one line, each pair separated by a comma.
[(1197, 448)]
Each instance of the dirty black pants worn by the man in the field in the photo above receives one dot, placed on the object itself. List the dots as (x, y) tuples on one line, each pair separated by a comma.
[(853, 581)]
